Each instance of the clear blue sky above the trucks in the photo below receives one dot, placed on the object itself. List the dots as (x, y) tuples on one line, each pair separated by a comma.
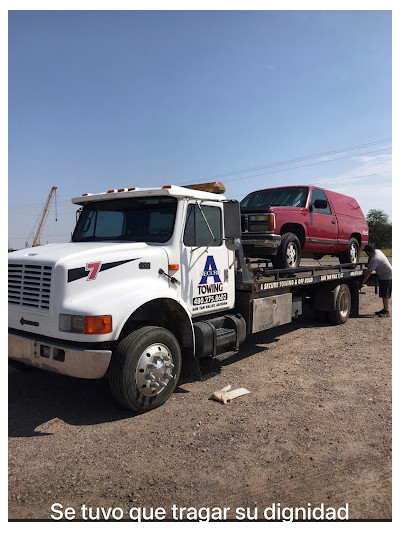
[(104, 99)]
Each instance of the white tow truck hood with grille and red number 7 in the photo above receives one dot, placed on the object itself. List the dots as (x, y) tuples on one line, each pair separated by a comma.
[(86, 279)]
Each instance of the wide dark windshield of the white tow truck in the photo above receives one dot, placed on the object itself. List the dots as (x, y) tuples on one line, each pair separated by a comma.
[(149, 219)]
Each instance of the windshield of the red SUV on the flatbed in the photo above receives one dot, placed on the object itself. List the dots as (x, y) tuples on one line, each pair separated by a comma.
[(290, 196)]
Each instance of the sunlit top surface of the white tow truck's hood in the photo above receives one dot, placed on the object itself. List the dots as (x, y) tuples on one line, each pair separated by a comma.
[(52, 253)]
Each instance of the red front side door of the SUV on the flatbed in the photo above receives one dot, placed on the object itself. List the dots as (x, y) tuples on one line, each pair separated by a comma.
[(323, 228)]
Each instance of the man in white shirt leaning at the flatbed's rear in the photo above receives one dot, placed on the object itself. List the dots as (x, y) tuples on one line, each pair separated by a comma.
[(378, 261)]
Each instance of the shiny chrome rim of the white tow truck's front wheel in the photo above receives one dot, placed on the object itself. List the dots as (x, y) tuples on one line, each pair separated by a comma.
[(154, 369)]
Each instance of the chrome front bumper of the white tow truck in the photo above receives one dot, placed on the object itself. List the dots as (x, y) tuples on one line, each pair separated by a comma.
[(59, 358)]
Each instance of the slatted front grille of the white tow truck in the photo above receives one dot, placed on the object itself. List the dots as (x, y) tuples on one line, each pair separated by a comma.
[(29, 285)]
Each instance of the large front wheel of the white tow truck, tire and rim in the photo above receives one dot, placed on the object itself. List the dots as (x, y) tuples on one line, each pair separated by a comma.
[(145, 368)]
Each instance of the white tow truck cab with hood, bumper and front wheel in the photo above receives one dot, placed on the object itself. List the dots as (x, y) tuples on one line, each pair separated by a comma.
[(137, 256)]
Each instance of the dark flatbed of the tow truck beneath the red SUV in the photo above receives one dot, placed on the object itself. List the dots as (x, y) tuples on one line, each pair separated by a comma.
[(268, 297)]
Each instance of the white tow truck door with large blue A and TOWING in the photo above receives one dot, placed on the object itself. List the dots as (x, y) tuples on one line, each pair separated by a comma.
[(208, 277)]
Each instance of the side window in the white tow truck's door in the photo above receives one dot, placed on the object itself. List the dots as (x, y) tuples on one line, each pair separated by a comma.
[(196, 230)]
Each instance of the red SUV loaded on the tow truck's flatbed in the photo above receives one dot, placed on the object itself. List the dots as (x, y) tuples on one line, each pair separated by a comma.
[(287, 223)]
